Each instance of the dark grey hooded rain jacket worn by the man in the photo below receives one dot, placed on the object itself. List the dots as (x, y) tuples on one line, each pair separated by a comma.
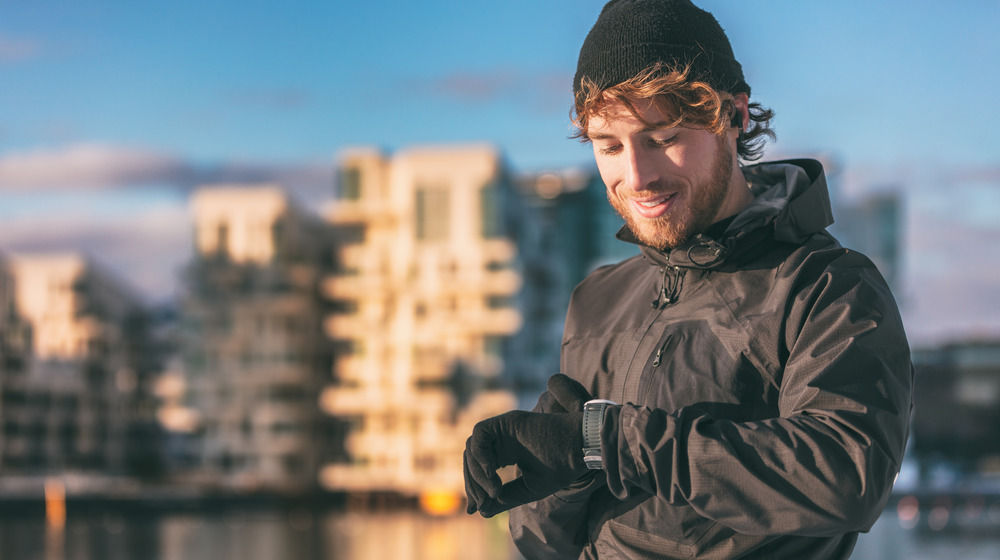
[(767, 383)]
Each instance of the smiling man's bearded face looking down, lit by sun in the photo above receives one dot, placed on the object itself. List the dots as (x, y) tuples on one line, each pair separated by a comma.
[(667, 183)]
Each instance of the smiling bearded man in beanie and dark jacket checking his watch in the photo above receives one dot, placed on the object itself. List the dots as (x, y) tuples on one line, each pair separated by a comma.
[(753, 375)]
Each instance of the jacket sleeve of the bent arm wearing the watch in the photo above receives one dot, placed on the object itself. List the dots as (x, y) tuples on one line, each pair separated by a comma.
[(826, 464)]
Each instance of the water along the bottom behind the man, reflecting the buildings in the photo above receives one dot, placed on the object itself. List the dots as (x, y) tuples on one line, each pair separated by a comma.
[(300, 534)]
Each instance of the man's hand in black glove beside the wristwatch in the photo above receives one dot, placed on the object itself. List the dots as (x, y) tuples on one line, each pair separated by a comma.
[(547, 447)]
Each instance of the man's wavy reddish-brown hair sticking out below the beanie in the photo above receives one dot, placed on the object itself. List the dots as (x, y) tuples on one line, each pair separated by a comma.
[(690, 103)]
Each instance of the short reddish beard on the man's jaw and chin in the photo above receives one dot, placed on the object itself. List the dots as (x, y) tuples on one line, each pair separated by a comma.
[(702, 202)]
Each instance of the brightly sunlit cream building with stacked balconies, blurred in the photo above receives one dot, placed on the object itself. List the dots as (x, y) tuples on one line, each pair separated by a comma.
[(426, 305)]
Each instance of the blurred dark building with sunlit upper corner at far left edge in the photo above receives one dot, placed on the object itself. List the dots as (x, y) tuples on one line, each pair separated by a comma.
[(77, 400)]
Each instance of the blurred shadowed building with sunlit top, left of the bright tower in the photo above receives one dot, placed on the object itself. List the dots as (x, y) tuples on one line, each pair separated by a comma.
[(254, 353)]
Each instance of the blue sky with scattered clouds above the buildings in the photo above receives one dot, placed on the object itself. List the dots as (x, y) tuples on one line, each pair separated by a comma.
[(112, 111)]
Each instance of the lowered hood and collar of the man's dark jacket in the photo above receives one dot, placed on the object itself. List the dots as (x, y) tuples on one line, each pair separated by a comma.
[(791, 202)]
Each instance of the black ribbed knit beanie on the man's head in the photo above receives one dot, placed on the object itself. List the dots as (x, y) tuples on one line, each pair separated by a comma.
[(632, 35)]
